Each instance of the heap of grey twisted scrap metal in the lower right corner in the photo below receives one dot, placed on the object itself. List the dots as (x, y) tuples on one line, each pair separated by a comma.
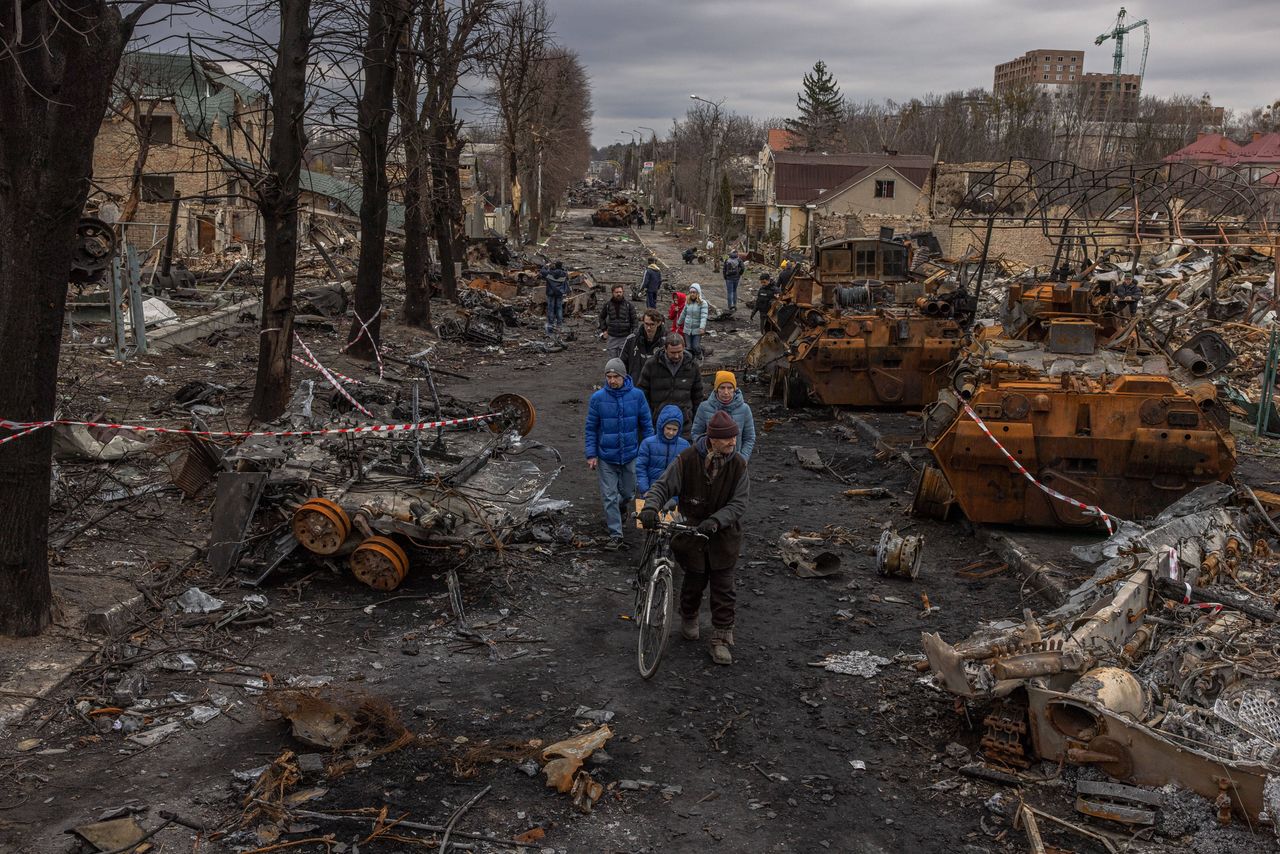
[(1162, 669)]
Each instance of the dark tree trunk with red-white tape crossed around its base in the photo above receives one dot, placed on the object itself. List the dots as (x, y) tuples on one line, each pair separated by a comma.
[(387, 21)]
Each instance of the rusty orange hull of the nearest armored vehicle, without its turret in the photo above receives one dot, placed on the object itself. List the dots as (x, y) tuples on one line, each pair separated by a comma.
[(1130, 442)]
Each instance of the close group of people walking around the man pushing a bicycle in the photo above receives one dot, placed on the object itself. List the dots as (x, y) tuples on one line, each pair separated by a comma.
[(637, 445)]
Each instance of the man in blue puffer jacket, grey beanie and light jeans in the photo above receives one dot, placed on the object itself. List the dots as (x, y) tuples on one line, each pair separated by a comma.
[(618, 422)]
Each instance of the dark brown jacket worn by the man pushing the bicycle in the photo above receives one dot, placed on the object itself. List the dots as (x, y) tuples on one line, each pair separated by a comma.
[(724, 499)]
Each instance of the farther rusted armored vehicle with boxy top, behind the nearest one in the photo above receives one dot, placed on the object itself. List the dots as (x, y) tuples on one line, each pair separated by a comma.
[(860, 330)]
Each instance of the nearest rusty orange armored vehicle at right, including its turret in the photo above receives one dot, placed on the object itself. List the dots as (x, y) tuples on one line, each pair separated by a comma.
[(1068, 395)]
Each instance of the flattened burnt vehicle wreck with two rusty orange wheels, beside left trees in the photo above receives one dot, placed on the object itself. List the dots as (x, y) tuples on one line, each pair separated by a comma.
[(382, 500)]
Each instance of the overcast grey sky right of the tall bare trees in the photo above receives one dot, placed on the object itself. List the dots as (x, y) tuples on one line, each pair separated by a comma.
[(646, 57)]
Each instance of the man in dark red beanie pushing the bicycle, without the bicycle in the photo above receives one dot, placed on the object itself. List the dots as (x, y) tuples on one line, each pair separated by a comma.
[(712, 487)]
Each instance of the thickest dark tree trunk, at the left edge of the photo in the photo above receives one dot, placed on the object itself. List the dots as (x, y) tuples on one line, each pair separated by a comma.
[(54, 92)]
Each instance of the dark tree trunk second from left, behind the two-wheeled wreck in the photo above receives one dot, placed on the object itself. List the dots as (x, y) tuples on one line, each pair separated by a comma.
[(278, 204)]
